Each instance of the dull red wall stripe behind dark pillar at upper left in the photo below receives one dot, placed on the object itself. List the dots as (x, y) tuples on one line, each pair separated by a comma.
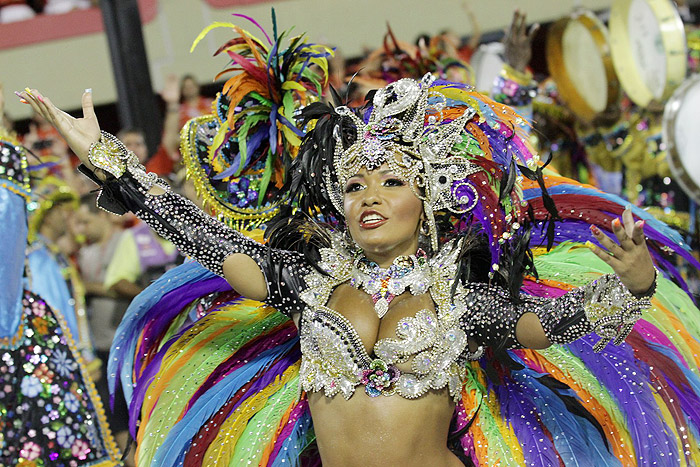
[(43, 27)]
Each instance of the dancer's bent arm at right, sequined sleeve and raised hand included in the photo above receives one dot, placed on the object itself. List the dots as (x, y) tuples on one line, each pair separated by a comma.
[(609, 305)]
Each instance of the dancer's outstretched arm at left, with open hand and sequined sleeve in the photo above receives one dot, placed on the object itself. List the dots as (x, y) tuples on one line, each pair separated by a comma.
[(253, 270)]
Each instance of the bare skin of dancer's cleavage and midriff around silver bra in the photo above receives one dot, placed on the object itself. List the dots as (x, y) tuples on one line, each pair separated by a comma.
[(385, 430)]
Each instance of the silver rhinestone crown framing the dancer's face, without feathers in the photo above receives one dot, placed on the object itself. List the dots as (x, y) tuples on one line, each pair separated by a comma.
[(407, 131)]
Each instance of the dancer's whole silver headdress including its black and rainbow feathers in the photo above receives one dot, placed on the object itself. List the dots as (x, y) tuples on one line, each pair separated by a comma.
[(463, 155)]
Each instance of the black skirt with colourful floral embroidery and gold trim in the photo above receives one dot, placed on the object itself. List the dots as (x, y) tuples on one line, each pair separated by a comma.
[(50, 413)]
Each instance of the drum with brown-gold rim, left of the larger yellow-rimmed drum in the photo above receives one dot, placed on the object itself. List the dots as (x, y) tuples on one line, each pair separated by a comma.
[(579, 61)]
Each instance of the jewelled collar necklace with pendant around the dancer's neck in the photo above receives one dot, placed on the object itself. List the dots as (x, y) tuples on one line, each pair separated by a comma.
[(410, 272)]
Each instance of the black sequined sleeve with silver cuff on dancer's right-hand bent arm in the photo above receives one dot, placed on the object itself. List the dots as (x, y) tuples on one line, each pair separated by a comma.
[(604, 306)]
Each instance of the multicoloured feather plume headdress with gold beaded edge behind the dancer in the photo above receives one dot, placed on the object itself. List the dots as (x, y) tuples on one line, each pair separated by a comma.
[(239, 157)]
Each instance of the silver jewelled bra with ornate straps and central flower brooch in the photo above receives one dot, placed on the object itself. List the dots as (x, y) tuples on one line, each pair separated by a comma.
[(334, 359)]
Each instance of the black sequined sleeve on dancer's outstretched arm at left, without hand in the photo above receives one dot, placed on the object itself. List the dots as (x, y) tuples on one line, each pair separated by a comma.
[(199, 235)]
